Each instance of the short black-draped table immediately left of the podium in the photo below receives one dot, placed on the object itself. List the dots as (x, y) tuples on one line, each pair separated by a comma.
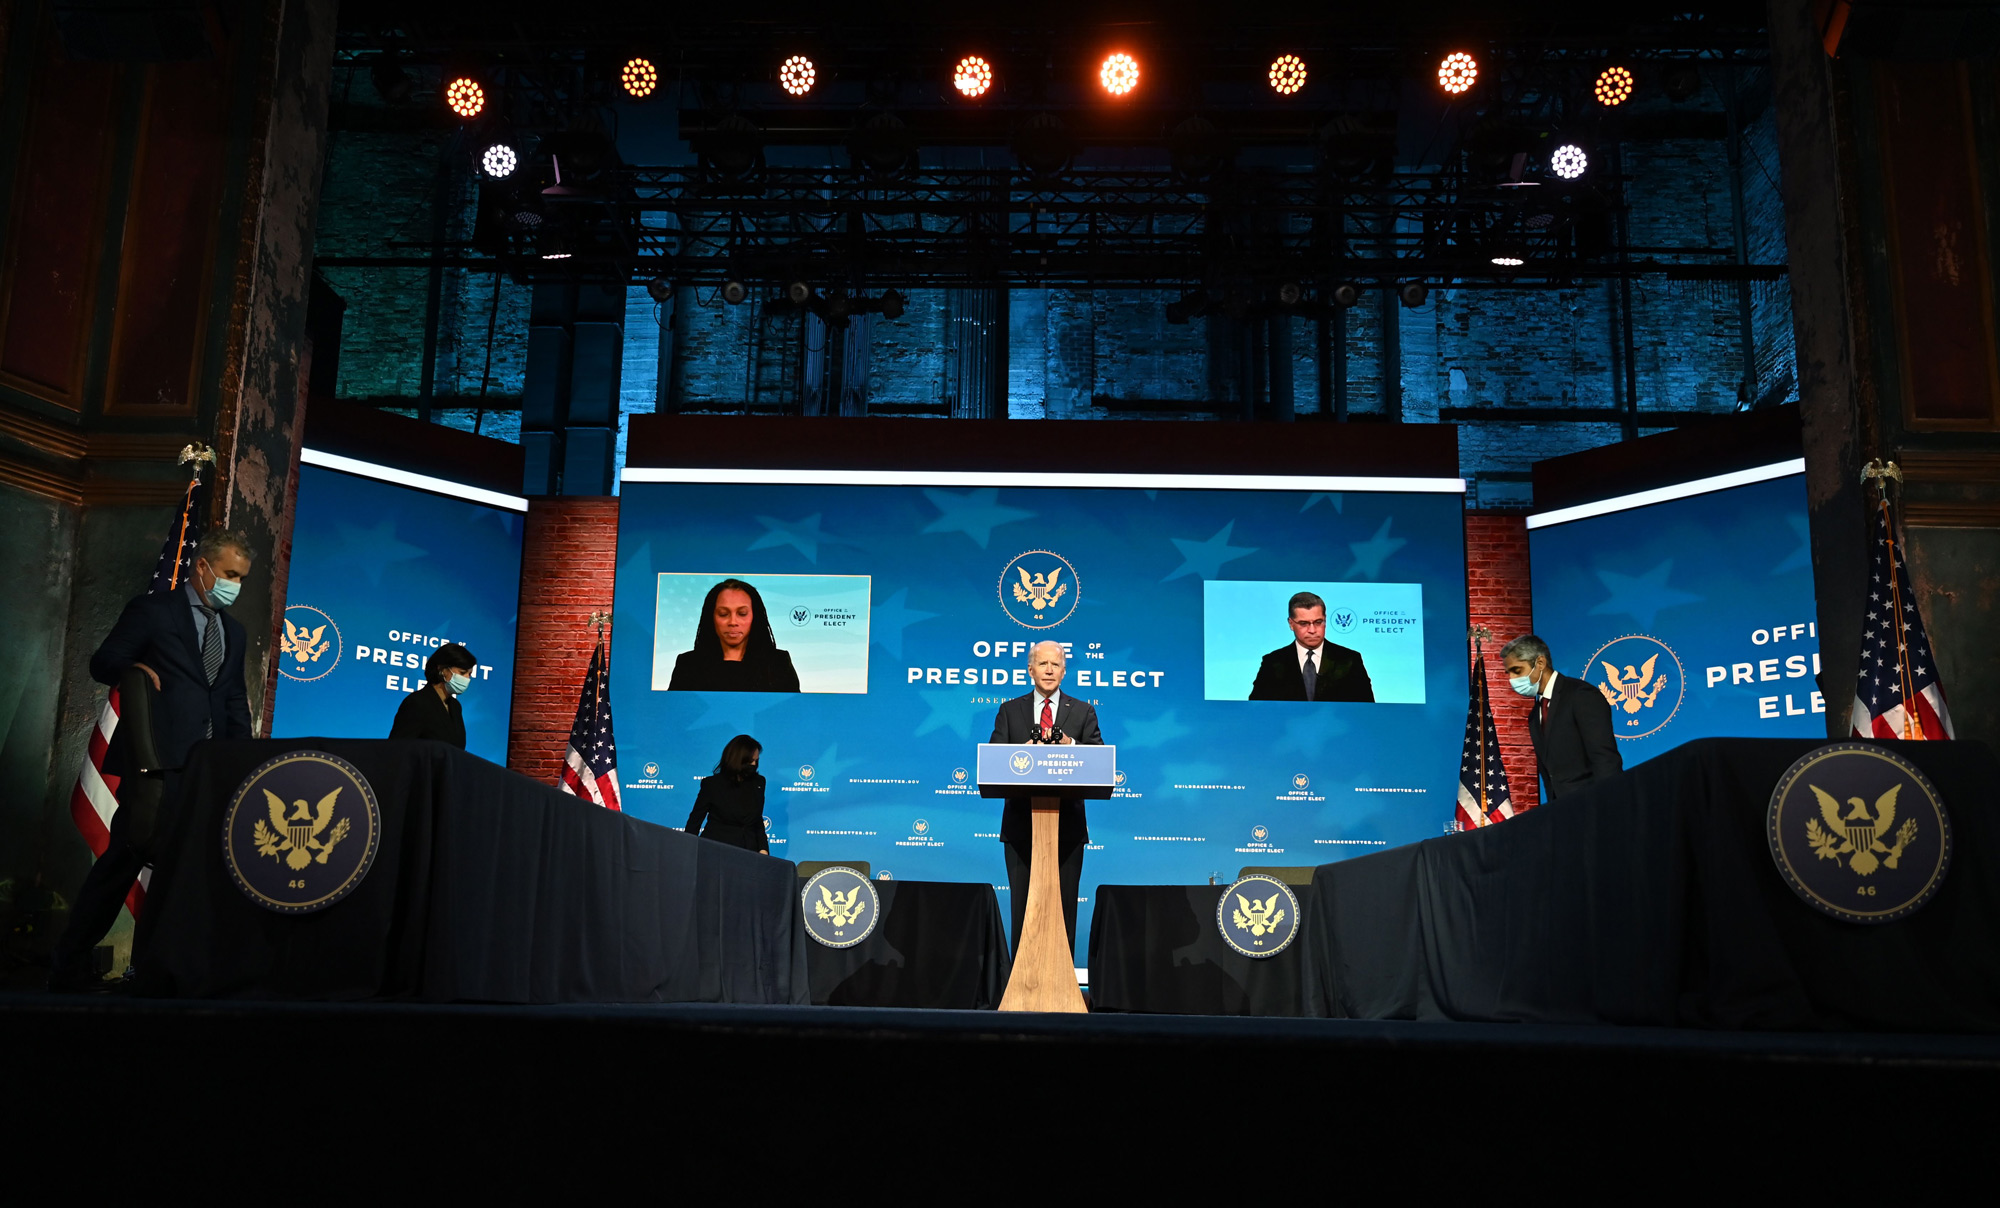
[(941, 945)]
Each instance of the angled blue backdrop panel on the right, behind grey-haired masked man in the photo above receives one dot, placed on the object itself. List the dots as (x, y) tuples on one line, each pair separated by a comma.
[(1697, 615)]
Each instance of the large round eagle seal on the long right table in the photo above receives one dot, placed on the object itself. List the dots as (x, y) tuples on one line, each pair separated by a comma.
[(1859, 833)]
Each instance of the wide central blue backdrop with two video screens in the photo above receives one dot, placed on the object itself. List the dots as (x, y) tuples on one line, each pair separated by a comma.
[(963, 581)]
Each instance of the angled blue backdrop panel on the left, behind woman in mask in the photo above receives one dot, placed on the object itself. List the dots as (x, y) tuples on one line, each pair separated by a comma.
[(381, 577)]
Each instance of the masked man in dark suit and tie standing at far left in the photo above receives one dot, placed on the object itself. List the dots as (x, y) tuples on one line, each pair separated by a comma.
[(193, 653)]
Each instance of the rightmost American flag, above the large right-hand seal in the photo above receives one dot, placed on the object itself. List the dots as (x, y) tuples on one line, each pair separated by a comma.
[(1899, 693)]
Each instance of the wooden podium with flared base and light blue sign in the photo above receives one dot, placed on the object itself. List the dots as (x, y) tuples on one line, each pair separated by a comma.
[(1045, 967)]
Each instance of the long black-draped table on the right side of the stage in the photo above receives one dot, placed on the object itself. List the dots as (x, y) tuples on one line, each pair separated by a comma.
[(1653, 899)]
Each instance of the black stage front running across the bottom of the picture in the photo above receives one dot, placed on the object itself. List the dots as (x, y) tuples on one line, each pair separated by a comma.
[(805, 1103)]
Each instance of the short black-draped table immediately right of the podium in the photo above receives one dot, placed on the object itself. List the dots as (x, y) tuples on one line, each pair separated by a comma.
[(1157, 949)]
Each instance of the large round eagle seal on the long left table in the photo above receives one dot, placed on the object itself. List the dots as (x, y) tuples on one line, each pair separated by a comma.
[(301, 833)]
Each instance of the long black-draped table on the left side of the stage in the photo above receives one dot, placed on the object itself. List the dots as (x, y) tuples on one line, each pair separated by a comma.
[(487, 889)]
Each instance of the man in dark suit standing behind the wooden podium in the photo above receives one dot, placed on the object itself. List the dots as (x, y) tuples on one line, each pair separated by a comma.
[(1041, 715)]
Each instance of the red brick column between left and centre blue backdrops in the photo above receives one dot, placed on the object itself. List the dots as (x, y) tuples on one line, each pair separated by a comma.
[(567, 571)]
